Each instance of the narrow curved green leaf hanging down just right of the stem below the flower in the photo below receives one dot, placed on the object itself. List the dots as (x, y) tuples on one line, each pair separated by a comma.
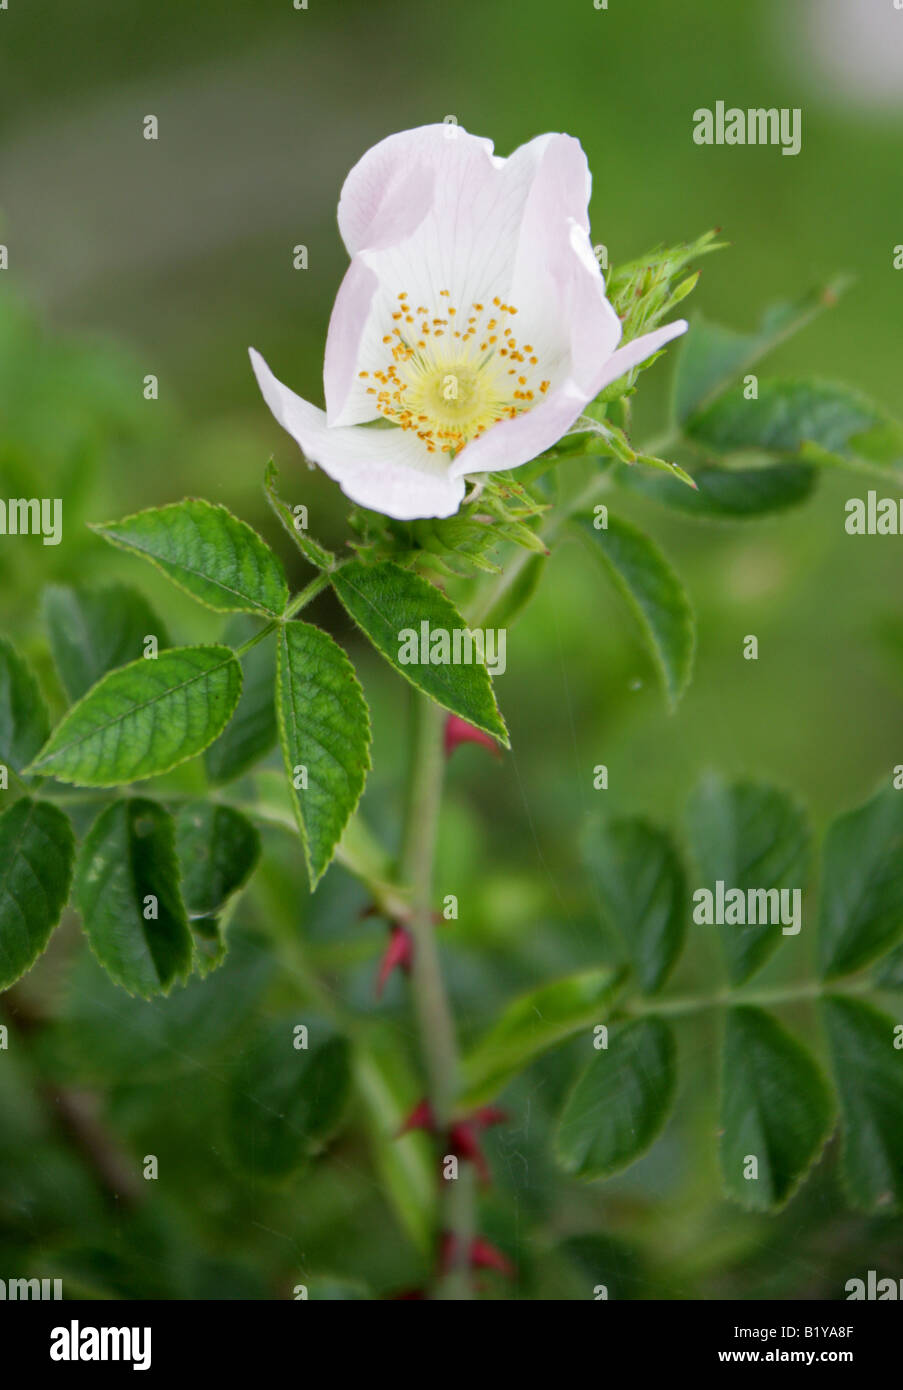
[(656, 596)]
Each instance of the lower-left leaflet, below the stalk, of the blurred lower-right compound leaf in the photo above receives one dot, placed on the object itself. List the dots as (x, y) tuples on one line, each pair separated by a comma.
[(620, 1103)]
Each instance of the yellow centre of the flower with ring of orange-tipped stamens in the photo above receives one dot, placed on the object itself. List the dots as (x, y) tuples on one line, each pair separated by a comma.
[(451, 379)]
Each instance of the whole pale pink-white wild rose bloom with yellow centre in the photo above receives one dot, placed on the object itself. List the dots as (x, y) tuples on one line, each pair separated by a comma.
[(473, 319)]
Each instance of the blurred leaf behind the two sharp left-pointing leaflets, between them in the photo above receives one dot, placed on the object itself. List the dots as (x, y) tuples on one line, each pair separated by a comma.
[(94, 632)]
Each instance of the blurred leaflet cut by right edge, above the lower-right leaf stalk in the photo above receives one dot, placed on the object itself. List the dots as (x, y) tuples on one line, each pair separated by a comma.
[(862, 886)]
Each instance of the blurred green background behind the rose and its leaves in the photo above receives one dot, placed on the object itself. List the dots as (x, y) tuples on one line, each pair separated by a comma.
[(130, 258)]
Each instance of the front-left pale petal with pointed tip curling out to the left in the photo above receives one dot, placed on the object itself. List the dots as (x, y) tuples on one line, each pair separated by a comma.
[(386, 471)]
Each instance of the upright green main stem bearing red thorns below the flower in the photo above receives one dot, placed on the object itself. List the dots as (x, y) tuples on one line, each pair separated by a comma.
[(431, 1001)]
